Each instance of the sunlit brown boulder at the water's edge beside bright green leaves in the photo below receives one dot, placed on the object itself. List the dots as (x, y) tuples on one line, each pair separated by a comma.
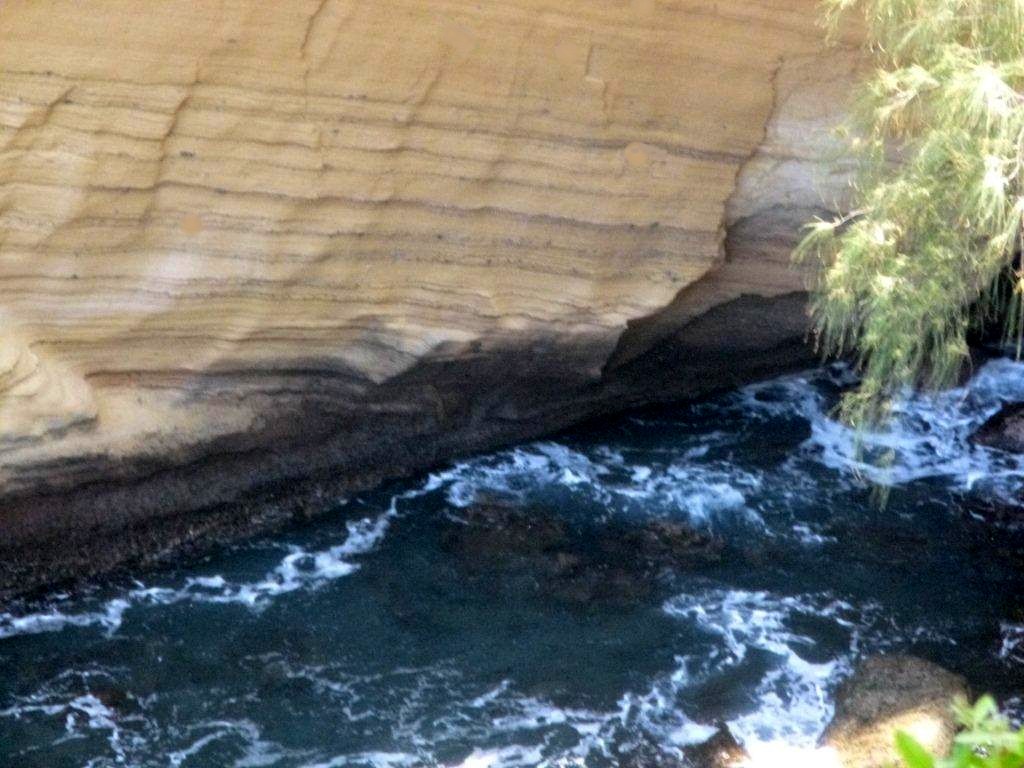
[(887, 695)]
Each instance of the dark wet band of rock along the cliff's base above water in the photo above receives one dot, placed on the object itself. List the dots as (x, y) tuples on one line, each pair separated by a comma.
[(321, 446)]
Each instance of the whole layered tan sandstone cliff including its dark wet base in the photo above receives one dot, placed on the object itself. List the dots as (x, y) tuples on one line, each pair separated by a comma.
[(244, 243)]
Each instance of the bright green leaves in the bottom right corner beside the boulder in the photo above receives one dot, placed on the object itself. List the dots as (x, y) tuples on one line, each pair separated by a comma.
[(987, 742)]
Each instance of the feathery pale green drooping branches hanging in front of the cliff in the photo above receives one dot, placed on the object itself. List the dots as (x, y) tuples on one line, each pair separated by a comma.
[(930, 249)]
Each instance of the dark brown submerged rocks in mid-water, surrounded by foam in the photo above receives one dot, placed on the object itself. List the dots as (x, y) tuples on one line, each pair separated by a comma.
[(613, 564)]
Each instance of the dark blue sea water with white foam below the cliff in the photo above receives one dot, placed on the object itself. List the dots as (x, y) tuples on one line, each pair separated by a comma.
[(369, 641)]
